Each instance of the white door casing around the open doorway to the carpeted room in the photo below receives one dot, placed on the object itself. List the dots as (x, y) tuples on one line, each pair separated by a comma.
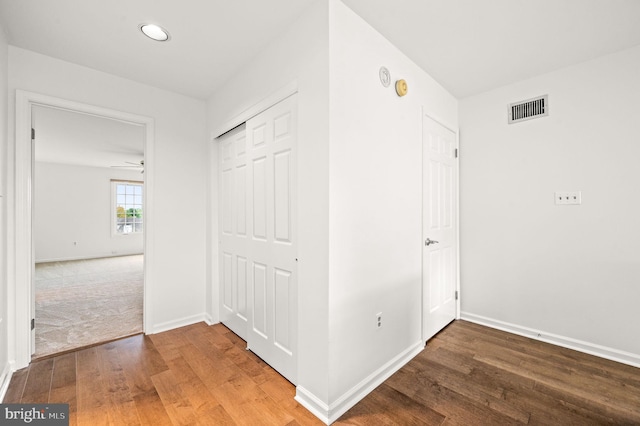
[(21, 218)]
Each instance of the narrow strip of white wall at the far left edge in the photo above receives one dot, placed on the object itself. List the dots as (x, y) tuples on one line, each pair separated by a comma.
[(4, 344)]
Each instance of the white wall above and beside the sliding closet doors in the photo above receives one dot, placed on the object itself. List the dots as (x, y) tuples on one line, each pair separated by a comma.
[(300, 55)]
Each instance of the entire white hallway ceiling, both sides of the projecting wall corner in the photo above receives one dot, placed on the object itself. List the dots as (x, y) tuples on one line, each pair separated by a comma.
[(469, 46)]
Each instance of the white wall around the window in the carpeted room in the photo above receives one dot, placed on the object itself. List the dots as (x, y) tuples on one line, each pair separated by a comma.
[(73, 213)]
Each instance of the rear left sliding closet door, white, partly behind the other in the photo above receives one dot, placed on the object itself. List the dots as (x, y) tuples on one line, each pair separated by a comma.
[(233, 230)]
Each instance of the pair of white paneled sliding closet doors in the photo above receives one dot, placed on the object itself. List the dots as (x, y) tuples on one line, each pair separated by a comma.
[(258, 293)]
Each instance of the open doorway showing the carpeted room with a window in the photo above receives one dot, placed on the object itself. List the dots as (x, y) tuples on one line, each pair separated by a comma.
[(88, 222)]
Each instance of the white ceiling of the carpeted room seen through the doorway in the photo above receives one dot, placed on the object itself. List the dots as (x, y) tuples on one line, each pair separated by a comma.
[(68, 137)]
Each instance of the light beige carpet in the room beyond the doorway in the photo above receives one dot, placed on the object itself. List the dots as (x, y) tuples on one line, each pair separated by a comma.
[(84, 302)]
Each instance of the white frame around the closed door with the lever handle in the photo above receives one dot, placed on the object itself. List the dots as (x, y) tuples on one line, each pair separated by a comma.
[(455, 131)]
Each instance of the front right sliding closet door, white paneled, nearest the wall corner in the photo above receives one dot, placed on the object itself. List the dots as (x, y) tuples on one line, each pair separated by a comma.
[(271, 206)]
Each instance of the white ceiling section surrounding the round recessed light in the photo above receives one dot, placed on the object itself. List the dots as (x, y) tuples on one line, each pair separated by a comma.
[(210, 39)]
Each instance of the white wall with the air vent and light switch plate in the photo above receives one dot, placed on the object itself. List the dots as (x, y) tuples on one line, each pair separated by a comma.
[(570, 273)]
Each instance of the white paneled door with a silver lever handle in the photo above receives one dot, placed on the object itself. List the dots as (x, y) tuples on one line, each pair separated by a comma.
[(440, 233)]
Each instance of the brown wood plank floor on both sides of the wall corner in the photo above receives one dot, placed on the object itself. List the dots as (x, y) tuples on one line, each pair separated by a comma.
[(467, 375)]
